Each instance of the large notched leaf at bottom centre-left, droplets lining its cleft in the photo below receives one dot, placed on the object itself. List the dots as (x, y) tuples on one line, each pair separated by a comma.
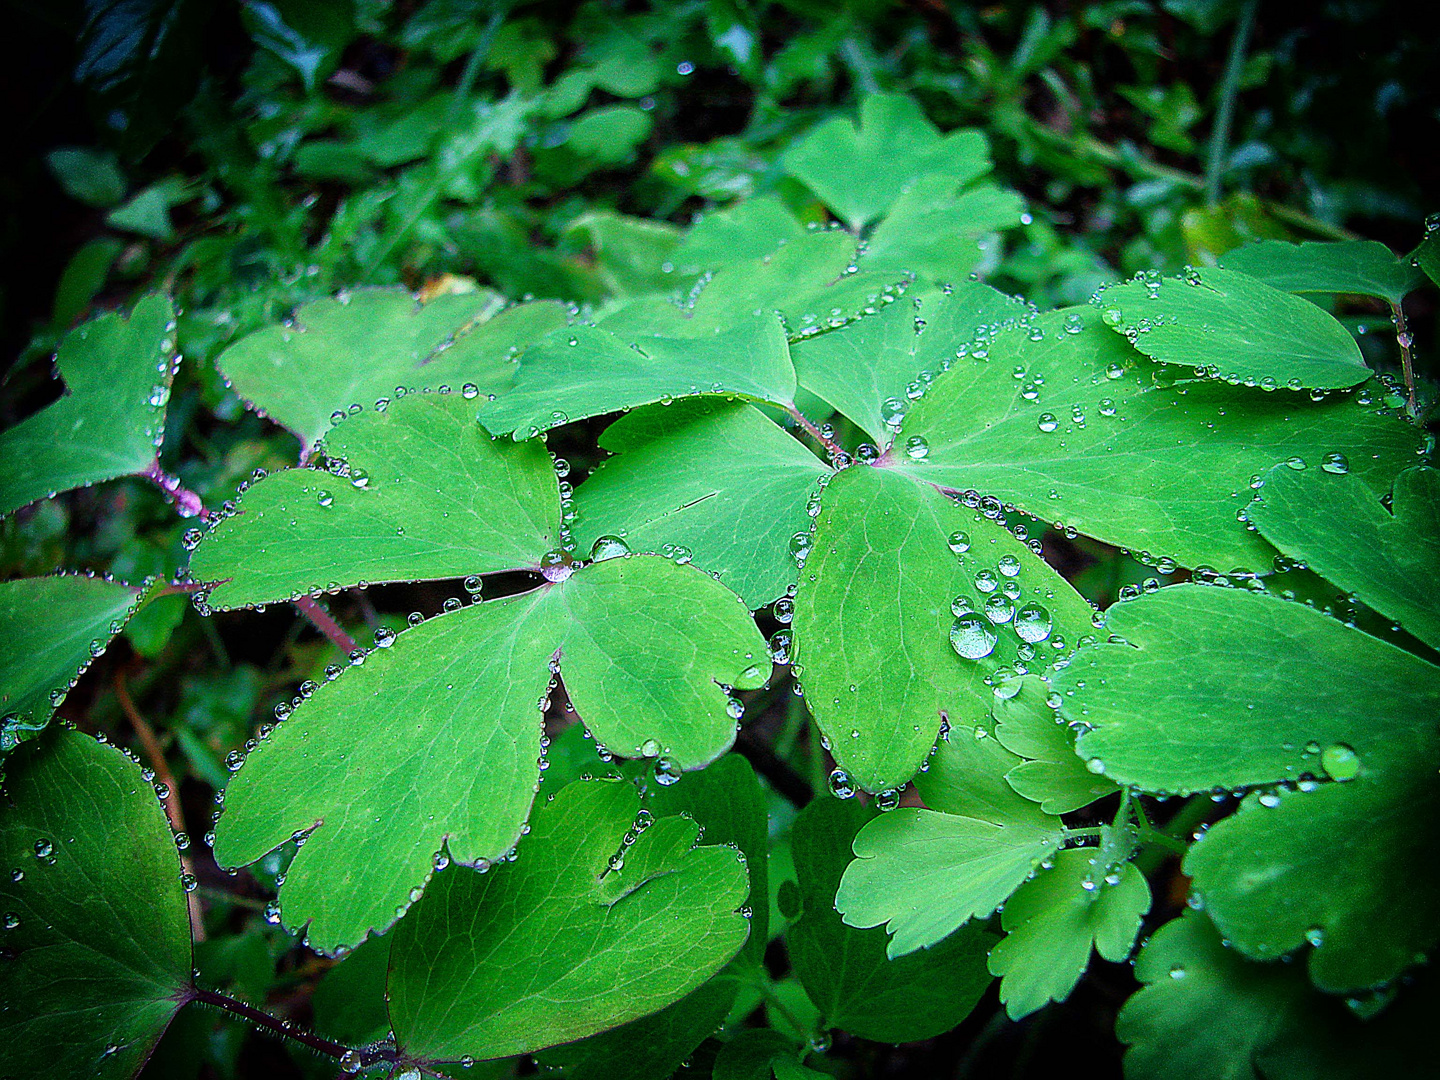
[(564, 942)]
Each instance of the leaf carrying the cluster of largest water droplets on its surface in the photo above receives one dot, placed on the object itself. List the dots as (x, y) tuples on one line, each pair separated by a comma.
[(875, 620)]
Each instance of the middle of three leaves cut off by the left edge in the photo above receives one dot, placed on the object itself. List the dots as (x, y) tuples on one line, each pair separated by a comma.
[(51, 630)]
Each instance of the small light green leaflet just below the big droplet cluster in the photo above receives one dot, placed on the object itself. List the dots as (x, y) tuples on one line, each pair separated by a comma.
[(1053, 774)]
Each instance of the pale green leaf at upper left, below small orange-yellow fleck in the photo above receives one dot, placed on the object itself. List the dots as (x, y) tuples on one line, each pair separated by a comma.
[(359, 348)]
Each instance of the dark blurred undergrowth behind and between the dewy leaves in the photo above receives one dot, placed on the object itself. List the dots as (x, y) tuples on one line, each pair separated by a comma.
[(1102, 114)]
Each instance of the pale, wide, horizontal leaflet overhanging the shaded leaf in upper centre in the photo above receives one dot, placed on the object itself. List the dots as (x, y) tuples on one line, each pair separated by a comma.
[(584, 372)]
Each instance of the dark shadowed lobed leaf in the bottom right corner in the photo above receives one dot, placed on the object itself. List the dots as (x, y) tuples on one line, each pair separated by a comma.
[(1206, 1012)]
